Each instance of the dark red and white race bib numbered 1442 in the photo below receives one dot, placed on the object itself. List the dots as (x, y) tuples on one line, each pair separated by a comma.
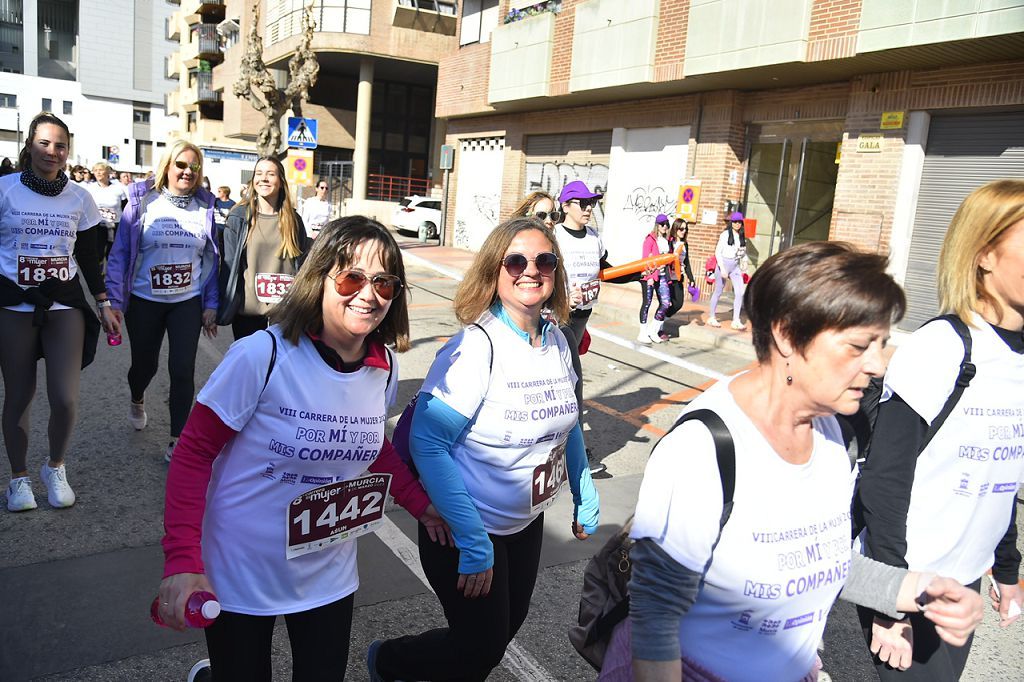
[(335, 514)]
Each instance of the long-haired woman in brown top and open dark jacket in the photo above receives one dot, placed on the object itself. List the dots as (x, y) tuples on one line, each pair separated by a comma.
[(265, 245)]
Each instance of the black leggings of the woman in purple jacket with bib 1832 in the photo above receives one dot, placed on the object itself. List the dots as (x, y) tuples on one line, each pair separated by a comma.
[(148, 322)]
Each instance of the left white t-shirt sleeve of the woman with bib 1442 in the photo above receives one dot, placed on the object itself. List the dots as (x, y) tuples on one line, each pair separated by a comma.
[(235, 388)]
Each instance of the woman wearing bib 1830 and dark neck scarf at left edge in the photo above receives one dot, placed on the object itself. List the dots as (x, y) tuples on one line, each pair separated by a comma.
[(45, 241)]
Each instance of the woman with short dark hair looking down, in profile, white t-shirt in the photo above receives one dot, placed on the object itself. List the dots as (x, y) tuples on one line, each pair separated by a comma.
[(759, 576)]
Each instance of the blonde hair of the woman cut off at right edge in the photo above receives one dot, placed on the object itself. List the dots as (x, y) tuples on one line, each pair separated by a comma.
[(978, 225)]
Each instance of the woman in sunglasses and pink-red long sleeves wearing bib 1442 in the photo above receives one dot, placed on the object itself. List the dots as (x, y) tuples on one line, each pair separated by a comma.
[(317, 387)]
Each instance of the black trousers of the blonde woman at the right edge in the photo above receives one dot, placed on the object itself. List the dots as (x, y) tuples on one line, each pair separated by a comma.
[(934, 661)]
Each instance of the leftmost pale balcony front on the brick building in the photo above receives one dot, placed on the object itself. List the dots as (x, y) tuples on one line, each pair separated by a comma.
[(521, 59)]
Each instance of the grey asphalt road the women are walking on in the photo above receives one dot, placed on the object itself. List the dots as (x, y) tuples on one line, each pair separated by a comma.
[(76, 584)]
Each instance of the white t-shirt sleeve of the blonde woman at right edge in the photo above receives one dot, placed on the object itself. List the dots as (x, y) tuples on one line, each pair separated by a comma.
[(924, 369)]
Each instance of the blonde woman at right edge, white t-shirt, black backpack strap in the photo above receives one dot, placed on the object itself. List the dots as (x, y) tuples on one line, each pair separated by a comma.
[(949, 504)]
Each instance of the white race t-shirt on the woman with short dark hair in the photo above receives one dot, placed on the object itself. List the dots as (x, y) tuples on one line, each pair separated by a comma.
[(785, 552)]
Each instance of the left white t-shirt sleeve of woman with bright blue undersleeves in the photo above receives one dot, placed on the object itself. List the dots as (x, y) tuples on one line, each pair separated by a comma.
[(461, 372)]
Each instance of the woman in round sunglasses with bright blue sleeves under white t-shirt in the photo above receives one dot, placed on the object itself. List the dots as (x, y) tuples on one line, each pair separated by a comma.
[(495, 438)]
